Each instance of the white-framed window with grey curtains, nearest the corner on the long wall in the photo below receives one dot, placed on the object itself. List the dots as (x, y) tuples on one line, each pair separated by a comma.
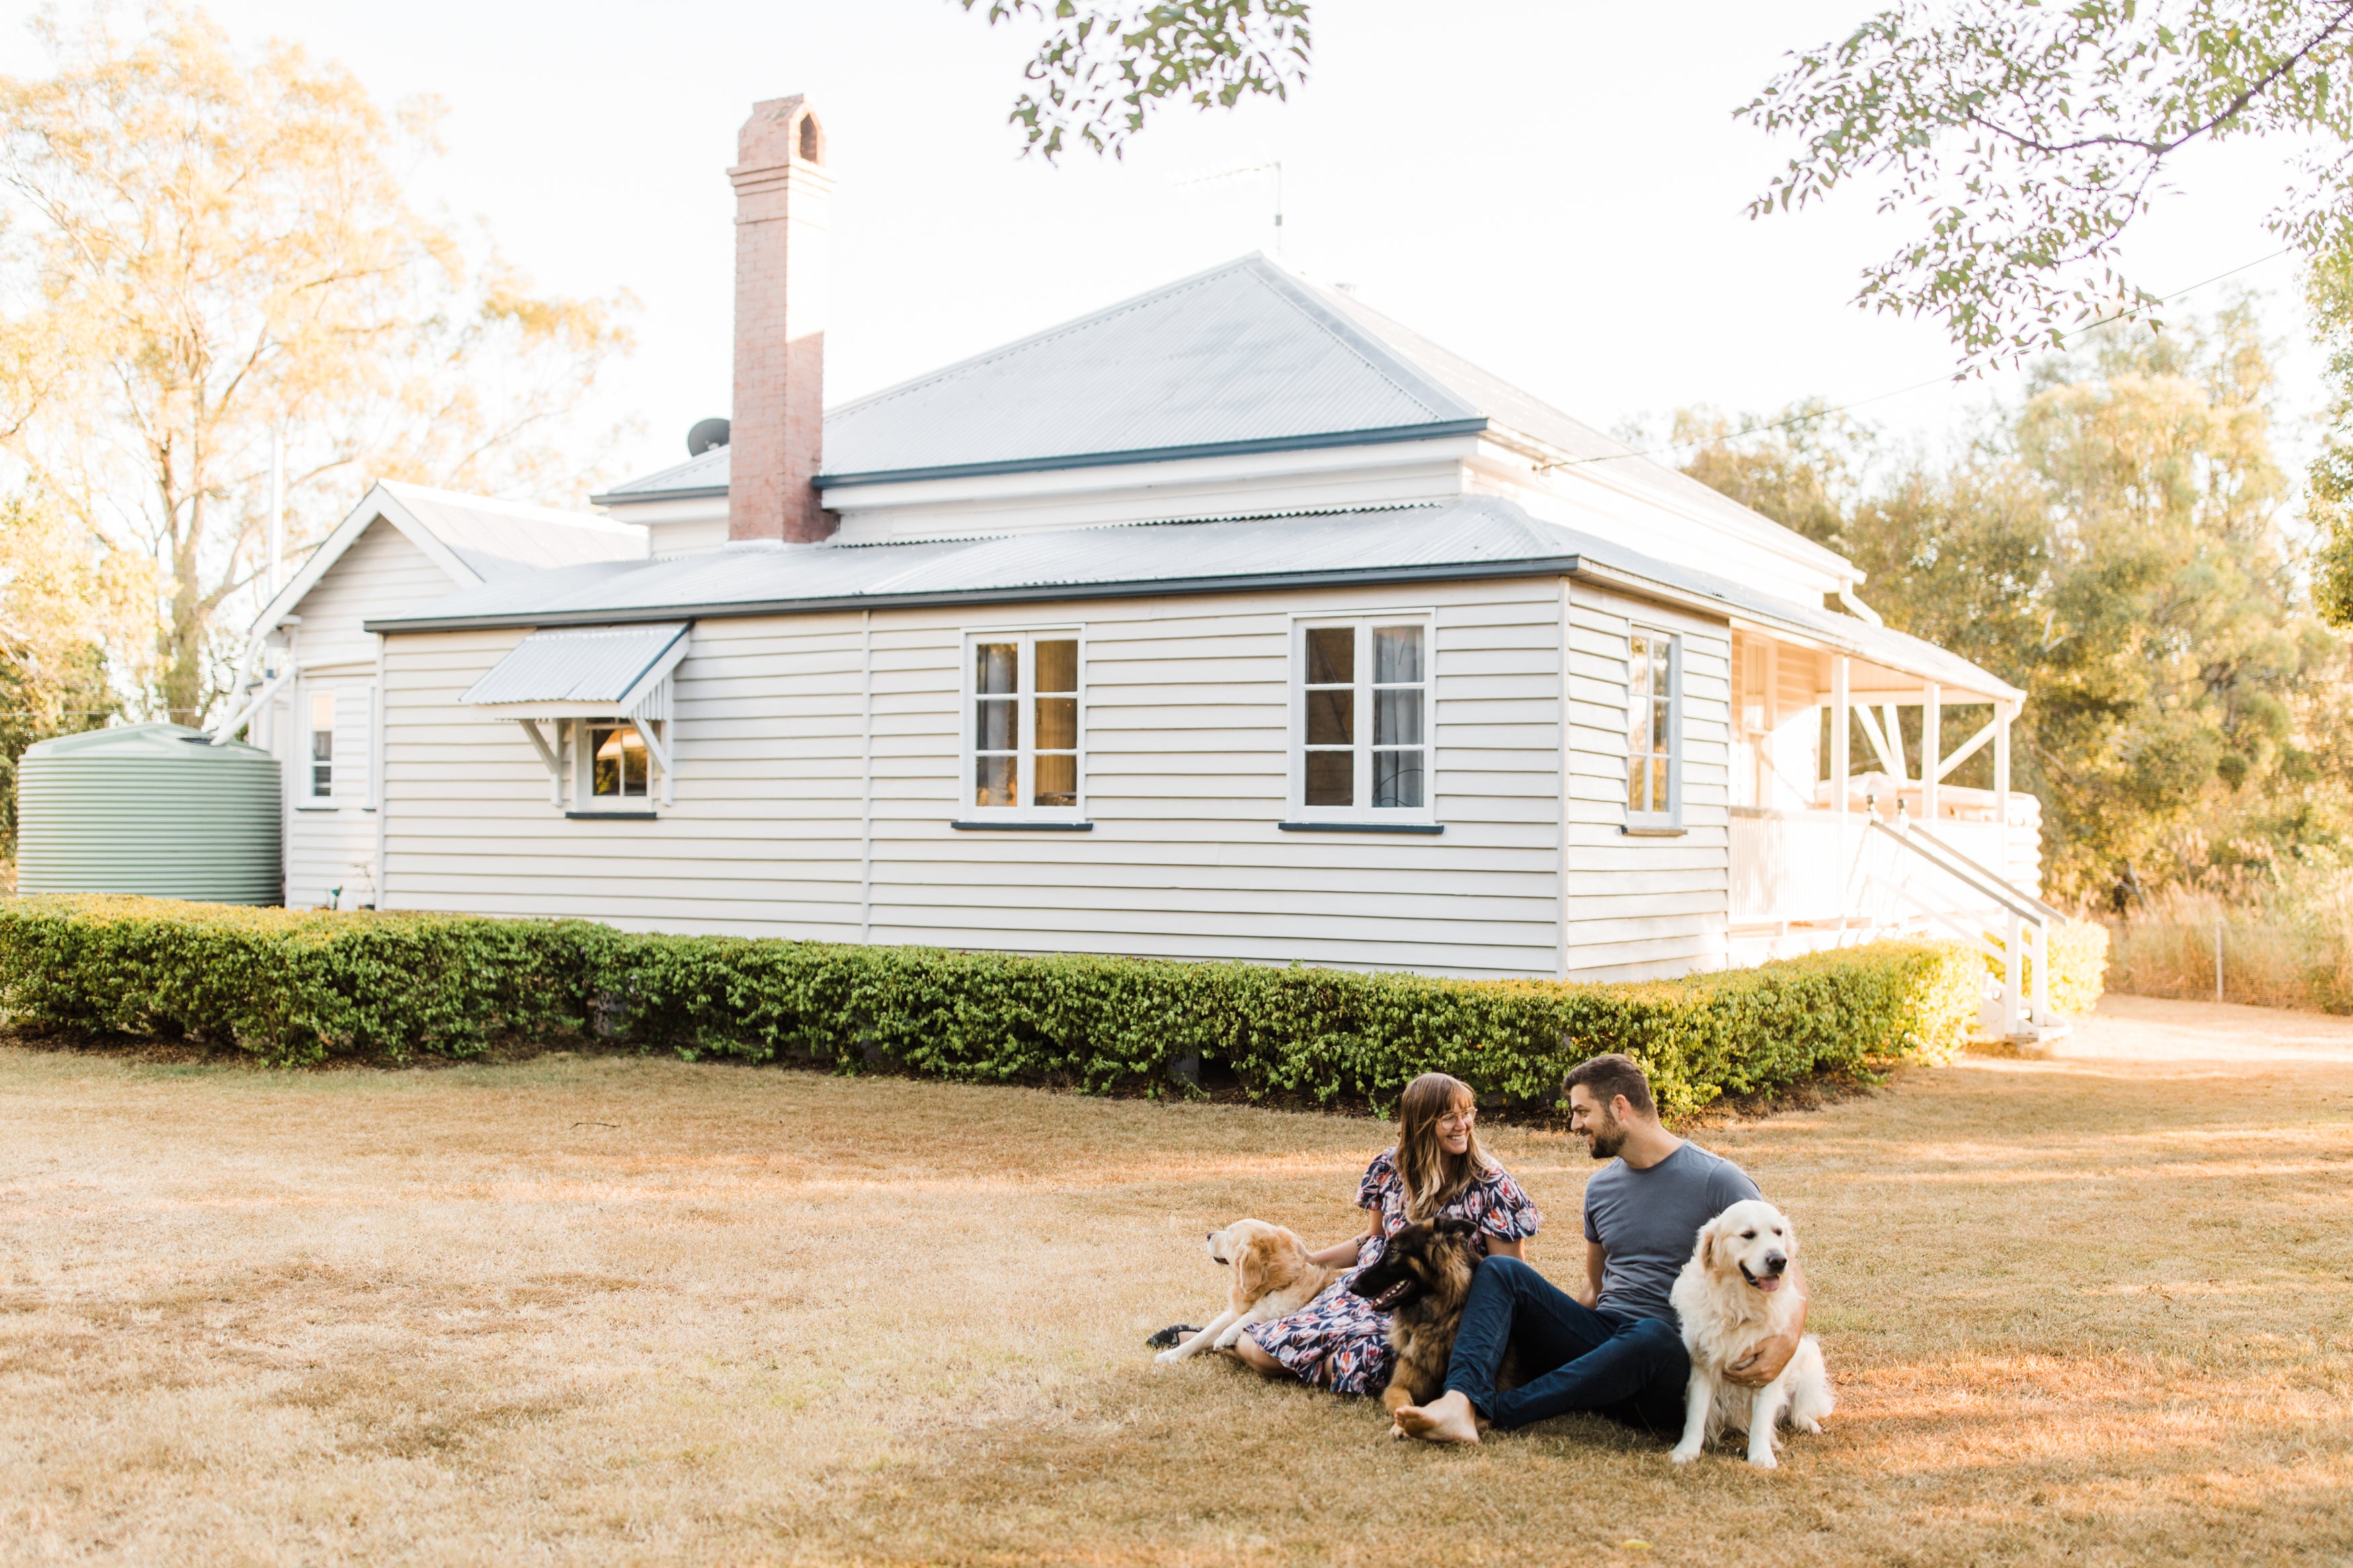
[(1361, 721)]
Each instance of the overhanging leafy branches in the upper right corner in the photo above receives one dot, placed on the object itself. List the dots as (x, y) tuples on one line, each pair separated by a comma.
[(2027, 140)]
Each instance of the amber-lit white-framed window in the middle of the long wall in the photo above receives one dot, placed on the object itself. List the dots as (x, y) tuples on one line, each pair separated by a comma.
[(1025, 728)]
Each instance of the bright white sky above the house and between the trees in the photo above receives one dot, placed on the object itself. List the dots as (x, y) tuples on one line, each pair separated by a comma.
[(1549, 187)]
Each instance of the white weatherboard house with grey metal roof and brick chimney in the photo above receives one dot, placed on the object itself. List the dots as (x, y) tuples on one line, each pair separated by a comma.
[(1232, 622)]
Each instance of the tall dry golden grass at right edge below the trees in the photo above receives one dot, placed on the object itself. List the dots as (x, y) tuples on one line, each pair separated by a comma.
[(2284, 944)]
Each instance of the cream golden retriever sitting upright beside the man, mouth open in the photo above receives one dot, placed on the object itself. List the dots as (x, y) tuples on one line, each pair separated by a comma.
[(1731, 1296)]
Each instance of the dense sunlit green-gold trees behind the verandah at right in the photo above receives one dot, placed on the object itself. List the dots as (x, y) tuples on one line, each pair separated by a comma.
[(2114, 549)]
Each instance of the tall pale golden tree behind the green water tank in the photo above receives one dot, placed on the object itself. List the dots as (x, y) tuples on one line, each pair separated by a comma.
[(206, 250)]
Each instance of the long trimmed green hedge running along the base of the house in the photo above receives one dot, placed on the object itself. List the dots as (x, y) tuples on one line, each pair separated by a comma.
[(300, 986)]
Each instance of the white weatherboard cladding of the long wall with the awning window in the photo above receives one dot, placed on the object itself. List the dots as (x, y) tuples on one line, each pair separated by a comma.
[(1187, 742)]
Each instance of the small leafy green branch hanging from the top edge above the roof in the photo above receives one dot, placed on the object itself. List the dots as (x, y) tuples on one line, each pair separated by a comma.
[(1105, 69)]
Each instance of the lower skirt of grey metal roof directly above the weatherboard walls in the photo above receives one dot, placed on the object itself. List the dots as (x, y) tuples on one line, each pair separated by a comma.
[(1477, 537)]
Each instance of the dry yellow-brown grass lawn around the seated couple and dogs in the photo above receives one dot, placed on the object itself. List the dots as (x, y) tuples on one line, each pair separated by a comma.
[(585, 1311)]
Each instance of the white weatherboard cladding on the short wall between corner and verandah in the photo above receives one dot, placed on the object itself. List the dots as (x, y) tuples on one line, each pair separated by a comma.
[(1644, 906)]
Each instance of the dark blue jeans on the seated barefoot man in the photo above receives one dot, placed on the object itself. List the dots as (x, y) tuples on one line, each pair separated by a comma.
[(1575, 1358)]
